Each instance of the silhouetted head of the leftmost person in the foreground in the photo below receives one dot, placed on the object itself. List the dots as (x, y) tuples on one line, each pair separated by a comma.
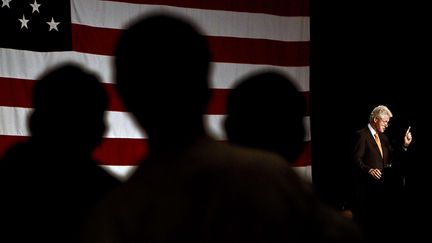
[(69, 106)]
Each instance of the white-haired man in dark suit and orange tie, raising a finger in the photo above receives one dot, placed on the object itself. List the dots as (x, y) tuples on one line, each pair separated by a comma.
[(378, 179)]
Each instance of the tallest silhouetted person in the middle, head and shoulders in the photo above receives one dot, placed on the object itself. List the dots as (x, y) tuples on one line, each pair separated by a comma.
[(192, 188)]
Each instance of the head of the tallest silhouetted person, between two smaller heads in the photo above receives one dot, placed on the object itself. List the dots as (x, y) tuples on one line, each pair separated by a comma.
[(162, 65)]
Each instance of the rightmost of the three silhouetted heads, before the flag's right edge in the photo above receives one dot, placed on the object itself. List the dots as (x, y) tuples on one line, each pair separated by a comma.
[(265, 110)]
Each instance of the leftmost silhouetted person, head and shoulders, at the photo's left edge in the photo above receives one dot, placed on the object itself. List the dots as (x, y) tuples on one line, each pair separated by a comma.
[(50, 182)]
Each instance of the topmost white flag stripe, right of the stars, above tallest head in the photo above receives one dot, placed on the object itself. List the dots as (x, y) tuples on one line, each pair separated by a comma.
[(213, 22)]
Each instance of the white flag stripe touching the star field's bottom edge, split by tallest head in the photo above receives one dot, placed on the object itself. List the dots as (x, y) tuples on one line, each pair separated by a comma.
[(30, 65)]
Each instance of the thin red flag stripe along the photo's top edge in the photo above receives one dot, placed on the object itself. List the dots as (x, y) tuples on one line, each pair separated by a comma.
[(277, 7)]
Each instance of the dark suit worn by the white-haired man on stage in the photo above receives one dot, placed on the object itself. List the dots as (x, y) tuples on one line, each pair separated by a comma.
[(376, 201)]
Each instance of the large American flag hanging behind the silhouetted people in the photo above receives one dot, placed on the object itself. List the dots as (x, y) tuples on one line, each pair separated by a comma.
[(244, 35)]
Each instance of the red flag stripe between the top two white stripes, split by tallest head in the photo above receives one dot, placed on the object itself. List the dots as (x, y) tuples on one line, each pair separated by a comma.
[(101, 41)]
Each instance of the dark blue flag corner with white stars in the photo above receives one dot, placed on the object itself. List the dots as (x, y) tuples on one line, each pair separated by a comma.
[(37, 25)]
